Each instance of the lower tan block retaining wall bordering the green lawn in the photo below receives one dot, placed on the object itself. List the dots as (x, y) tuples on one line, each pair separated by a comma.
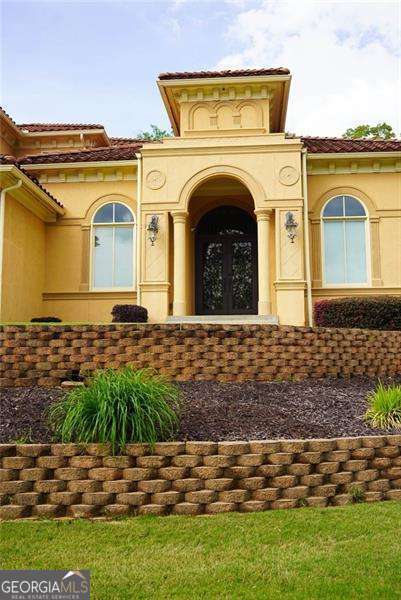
[(193, 478)]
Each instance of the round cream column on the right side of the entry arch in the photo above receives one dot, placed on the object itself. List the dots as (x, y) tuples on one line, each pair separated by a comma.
[(263, 219)]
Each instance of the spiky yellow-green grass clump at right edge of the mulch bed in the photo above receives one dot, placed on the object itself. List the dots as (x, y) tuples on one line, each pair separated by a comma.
[(384, 410)]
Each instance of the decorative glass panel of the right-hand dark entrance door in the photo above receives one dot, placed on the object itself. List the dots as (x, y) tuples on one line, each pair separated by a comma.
[(242, 276)]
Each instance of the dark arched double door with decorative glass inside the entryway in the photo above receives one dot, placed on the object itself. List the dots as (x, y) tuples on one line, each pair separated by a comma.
[(226, 263)]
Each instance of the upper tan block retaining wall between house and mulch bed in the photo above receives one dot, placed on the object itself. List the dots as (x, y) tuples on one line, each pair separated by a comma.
[(46, 355)]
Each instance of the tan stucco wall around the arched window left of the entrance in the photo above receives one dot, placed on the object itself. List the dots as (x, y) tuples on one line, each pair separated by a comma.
[(67, 287)]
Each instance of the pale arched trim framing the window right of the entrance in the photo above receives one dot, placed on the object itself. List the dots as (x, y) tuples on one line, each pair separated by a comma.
[(342, 219)]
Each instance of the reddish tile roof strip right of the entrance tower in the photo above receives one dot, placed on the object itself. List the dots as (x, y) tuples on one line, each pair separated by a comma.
[(326, 144)]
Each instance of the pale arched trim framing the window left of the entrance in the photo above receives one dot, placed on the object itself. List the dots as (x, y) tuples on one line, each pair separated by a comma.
[(113, 225)]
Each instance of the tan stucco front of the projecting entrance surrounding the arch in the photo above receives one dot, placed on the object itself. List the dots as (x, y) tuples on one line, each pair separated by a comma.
[(185, 165)]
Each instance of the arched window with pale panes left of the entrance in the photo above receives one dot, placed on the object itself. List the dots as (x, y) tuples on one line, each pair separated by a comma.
[(113, 243)]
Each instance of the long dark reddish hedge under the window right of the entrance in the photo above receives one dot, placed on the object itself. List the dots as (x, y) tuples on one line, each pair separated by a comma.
[(373, 312)]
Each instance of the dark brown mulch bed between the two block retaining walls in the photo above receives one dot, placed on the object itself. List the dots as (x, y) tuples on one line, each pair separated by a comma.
[(227, 411)]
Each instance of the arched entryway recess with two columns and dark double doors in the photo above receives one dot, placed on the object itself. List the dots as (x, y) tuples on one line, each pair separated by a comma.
[(221, 250)]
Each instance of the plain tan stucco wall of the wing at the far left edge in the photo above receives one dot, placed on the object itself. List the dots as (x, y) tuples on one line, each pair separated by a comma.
[(23, 263)]
